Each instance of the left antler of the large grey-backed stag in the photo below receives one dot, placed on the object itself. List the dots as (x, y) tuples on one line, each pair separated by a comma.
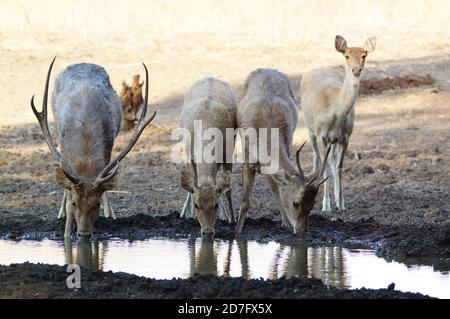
[(43, 122)]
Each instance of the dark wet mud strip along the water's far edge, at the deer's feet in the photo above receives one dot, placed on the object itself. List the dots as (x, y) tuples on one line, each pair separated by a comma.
[(391, 242)]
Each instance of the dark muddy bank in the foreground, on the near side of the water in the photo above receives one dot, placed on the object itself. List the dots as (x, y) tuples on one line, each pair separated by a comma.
[(48, 281)]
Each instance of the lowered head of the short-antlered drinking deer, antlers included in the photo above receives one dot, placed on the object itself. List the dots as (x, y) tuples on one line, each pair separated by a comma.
[(298, 192)]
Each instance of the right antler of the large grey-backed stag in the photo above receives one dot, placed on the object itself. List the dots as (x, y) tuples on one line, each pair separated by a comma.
[(105, 174)]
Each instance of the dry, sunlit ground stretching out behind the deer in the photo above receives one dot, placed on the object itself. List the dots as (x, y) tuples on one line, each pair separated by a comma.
[(401, 135)]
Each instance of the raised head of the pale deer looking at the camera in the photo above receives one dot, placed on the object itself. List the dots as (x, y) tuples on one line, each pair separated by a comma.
[(355, 57)]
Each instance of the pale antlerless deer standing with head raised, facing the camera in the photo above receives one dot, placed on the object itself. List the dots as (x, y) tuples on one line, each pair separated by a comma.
[(327, 101)]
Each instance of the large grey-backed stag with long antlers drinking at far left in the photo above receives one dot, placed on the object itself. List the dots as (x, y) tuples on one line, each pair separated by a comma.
[(87, 115)]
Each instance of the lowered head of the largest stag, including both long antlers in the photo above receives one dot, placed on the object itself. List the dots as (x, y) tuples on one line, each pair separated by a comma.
[(85, 193)]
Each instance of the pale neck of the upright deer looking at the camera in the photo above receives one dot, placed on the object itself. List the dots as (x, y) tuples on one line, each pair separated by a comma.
[(347, 95)]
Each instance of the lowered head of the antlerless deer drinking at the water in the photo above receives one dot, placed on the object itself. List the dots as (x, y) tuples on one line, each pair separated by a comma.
[(206, 195)]
